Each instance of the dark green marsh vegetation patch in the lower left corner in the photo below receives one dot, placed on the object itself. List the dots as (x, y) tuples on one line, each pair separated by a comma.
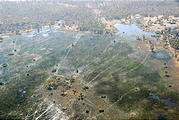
[(13, 101)]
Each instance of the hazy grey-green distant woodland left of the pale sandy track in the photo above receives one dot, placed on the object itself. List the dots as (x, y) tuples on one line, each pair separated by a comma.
[(29, 15)]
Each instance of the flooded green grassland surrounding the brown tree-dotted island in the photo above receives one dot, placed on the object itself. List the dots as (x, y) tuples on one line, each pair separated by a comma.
[(106, 68)]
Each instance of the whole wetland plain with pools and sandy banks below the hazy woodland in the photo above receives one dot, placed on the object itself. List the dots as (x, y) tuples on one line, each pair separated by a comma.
[(51, 72)]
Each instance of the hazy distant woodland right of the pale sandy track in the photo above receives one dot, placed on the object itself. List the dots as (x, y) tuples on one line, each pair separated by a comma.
[(121, 9)]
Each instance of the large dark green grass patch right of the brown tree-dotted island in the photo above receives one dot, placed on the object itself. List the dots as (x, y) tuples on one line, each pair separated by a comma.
[(131, 92)]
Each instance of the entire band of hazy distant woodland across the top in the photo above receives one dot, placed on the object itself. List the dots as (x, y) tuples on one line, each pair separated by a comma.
[(16, 16)]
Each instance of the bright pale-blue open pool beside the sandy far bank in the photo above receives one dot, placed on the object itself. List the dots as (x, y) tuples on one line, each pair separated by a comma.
[(131, 30)]
